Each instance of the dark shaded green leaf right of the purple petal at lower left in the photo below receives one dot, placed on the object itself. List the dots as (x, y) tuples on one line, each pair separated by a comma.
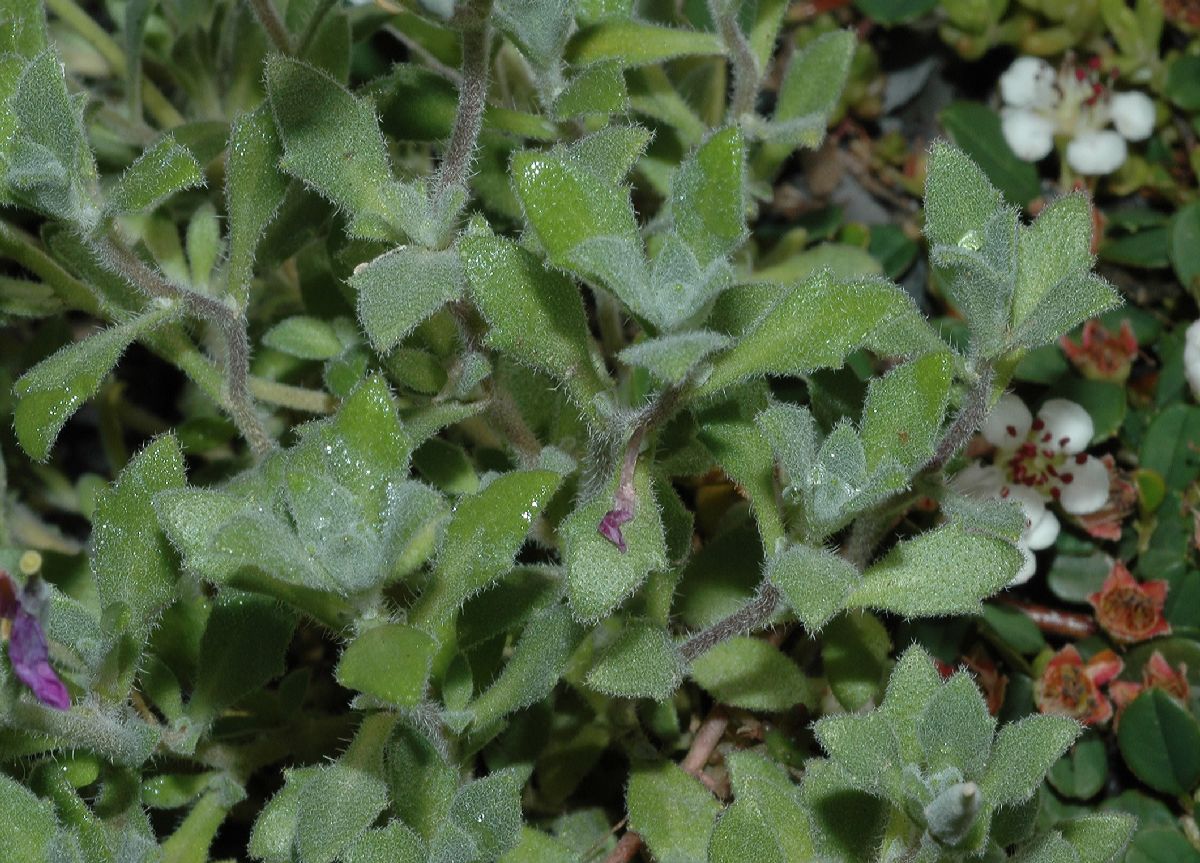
[(242, 651)]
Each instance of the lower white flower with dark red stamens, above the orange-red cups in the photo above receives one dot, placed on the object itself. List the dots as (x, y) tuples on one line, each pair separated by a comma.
[(1039, 460)]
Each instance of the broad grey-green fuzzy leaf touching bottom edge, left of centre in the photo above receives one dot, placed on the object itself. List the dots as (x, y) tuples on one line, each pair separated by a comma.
[(335, 807)]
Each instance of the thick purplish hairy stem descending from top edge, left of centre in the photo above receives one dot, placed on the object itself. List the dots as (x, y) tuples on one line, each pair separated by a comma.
[(469, 121)]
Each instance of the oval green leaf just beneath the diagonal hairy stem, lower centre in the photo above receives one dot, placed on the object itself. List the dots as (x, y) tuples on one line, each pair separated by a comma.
[(752, 674)]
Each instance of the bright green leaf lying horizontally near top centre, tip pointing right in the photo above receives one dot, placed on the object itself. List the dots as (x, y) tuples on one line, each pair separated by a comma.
[(639, 44)]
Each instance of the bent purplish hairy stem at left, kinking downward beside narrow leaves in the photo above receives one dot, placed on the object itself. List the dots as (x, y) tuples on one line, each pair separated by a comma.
[(230, 322)]
